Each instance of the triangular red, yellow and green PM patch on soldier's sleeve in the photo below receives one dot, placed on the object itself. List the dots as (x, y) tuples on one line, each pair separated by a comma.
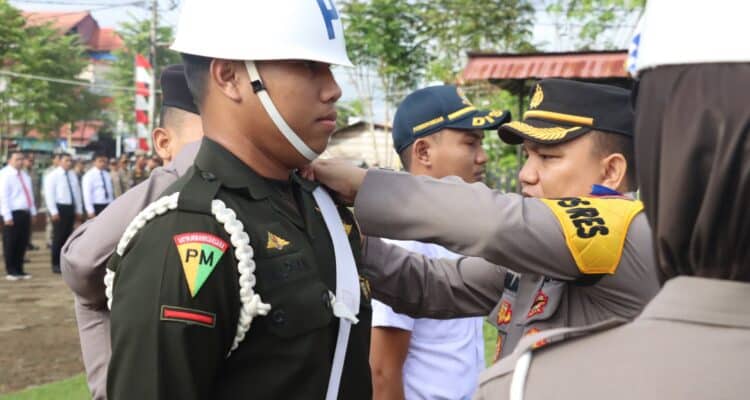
[(199, 254)]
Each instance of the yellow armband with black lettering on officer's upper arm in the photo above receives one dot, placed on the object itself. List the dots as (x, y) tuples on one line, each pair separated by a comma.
[(595, 229)]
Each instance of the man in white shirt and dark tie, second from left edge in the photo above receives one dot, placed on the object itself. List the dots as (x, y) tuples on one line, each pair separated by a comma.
[(62, 195)]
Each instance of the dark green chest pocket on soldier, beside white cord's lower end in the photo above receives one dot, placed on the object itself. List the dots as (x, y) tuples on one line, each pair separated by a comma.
[(299, 308)]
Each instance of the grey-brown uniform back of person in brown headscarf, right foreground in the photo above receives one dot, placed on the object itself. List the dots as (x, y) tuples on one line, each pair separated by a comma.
[(689, 343)]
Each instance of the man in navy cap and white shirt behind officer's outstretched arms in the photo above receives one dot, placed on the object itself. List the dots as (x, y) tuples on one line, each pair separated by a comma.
[(437, 133)]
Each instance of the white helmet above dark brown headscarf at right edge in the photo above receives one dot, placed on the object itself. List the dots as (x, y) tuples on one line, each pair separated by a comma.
[(677, 32)]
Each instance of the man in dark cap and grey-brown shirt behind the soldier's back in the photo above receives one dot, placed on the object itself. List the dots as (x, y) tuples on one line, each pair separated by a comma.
[(85, 254)]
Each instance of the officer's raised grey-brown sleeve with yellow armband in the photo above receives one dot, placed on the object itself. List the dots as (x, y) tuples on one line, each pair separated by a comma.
[(573, 239)]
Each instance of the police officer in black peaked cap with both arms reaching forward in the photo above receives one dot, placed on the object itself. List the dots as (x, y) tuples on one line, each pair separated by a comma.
[(571, 254)]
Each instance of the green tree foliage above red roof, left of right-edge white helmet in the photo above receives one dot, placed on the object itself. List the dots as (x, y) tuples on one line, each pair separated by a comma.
[(594, 17)]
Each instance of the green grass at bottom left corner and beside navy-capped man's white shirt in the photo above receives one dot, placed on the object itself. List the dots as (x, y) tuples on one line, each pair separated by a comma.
[(75, 388)]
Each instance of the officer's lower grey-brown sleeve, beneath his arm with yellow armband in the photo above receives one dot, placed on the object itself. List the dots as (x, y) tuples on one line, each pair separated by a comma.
[(422, 287)]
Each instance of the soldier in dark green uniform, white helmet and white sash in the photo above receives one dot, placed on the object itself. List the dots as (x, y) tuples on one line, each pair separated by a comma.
[(241, 281)]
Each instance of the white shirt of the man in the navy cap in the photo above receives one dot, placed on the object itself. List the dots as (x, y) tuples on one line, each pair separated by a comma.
[(445, 356)]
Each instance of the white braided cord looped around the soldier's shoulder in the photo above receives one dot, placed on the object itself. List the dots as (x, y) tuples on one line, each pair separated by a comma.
[(252, 305)]
